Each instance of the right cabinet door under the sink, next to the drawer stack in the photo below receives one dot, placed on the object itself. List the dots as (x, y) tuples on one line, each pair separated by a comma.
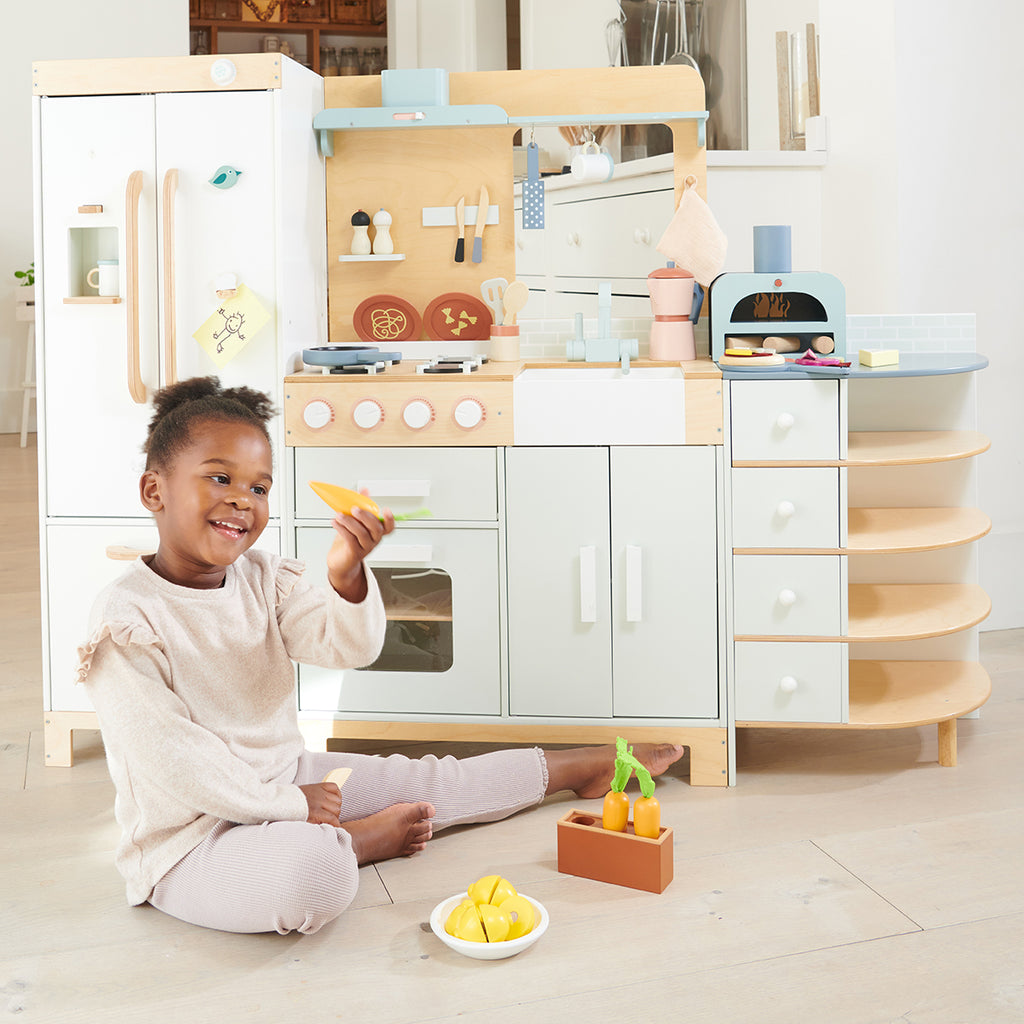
[(665, 582)]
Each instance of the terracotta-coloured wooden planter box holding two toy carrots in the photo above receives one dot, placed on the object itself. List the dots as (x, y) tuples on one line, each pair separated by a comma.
[(589, 850)]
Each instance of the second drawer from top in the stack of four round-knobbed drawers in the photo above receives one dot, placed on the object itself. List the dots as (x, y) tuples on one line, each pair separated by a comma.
[(789, 508)]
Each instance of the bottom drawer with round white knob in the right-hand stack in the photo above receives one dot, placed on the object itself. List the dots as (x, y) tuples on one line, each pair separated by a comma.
[(791, 682)]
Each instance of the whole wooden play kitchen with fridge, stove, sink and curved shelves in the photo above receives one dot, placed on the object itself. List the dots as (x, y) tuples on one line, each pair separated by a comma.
[(797, 551)]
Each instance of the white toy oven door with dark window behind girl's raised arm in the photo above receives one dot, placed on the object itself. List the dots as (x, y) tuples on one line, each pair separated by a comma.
[(442, 650)]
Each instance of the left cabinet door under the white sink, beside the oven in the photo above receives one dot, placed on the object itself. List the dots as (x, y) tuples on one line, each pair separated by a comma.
[(559, 582)]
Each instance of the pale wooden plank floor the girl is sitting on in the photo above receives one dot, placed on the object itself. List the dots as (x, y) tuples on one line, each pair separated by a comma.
[(847, 879)]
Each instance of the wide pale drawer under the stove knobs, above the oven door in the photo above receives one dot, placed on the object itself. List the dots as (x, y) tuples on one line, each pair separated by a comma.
[(453, 484)]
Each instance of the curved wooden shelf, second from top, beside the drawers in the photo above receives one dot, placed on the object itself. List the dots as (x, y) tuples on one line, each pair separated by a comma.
[(888, 531)]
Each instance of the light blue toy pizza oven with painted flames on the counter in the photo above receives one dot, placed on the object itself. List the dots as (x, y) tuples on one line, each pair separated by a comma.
[(784, 313)]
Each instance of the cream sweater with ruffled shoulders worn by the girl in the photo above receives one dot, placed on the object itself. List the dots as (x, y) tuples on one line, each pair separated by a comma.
[(195, 691)]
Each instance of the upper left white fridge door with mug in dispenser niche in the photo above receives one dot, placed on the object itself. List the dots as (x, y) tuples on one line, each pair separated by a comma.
[(91, 148)]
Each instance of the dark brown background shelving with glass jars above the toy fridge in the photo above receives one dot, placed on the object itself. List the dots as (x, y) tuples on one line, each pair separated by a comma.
[(325, 35)]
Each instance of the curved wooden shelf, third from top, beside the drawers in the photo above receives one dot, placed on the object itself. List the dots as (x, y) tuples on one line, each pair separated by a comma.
[(914, 611)]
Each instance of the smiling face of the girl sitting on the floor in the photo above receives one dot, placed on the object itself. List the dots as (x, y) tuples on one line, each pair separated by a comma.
[(211, 504)]
